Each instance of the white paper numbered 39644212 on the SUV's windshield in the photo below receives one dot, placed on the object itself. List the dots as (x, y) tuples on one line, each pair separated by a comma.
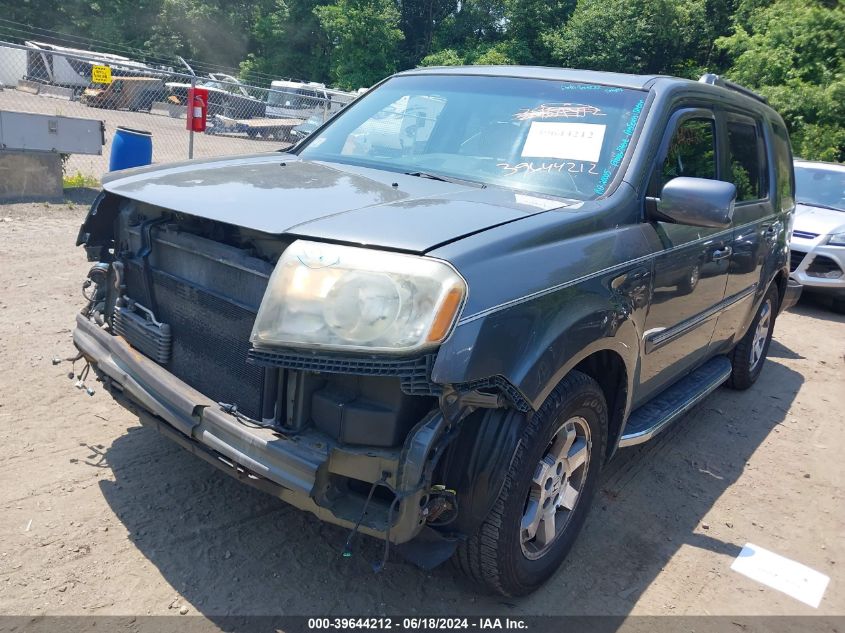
[(573, 141)]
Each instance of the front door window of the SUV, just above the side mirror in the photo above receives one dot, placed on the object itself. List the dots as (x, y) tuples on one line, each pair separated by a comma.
[(692, 152)]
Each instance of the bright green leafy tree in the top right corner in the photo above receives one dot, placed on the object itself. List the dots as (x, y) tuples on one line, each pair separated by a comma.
[(793, 52)]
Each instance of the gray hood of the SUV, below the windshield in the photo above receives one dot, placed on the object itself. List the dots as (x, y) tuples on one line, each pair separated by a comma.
[(279, 193)]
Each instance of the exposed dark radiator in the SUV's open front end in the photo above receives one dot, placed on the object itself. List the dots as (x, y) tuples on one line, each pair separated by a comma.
[(209, 328)]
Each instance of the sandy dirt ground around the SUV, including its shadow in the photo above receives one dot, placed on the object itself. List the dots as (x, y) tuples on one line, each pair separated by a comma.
[(101, 516)]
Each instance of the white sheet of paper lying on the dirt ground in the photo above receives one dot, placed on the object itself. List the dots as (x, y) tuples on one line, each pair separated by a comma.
[(777, 572)]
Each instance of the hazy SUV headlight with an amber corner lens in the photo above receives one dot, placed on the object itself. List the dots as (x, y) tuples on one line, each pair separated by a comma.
[(341, 297)]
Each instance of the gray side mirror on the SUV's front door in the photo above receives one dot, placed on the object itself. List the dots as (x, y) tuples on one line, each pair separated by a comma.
[(697, 202)]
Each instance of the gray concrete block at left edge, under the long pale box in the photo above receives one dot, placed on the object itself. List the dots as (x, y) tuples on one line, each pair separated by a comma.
[(30, 176)]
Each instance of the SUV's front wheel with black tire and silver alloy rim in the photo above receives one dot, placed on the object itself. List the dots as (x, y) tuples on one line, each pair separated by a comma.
[(501, 555)]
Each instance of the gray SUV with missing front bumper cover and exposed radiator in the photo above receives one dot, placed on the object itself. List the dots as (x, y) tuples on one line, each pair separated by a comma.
[(435, 319)]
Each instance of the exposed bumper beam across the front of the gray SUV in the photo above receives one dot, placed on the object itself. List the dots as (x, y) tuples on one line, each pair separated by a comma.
[(304, 470)]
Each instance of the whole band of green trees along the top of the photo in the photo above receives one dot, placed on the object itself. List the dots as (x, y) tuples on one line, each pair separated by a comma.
[(793, 51)]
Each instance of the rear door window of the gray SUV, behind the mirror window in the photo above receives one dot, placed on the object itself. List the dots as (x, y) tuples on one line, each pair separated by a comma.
[(748, 168)]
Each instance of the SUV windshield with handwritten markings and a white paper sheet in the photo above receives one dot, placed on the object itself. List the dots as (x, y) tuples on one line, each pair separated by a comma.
[(560, 138)]
